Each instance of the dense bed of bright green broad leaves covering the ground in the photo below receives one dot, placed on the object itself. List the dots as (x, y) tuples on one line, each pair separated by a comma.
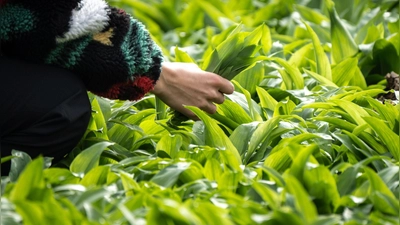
[(310, 135)]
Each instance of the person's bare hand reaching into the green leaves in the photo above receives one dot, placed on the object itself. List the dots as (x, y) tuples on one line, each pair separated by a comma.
[(186, 84)]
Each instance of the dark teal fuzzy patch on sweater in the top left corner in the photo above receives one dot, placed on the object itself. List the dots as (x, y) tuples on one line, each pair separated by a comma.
[(15, 20)]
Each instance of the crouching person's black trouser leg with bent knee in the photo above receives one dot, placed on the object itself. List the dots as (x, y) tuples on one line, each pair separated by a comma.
[(44, 110)]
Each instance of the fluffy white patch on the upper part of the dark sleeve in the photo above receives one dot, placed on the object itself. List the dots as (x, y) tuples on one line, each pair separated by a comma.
[(90, 17)]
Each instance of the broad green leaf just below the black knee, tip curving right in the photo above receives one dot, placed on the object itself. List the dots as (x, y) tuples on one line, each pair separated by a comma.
[(88, 159)]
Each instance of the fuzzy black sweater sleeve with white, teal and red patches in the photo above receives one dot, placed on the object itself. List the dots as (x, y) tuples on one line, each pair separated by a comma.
[(111, 51)]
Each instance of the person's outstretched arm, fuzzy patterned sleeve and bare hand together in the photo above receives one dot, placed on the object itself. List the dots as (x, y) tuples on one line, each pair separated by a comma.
[(112, 52)]
